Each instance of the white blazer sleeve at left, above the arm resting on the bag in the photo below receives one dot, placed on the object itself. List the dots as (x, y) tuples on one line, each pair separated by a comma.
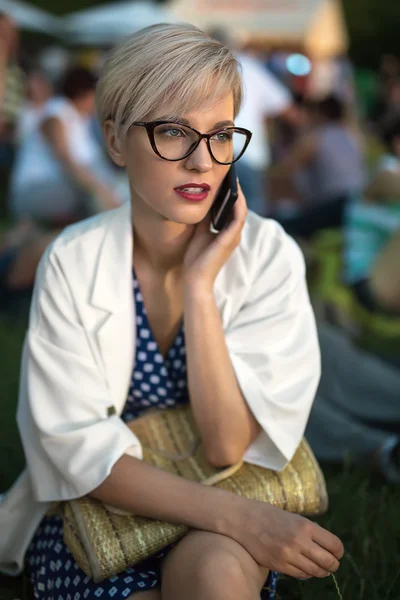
[(70, 441)]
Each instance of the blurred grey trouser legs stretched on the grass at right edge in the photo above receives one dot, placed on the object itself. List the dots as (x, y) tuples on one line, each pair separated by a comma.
[(356, 411)]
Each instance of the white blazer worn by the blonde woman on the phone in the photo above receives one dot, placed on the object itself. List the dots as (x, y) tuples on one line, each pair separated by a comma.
[(80, 348)]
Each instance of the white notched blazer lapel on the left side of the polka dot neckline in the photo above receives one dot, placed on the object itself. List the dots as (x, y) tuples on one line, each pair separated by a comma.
[(113, 295)]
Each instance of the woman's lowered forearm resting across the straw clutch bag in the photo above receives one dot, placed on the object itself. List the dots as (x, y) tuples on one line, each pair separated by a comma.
[(145, 490)]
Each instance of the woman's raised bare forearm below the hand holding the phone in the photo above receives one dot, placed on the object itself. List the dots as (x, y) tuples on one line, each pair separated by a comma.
[(225, 422)]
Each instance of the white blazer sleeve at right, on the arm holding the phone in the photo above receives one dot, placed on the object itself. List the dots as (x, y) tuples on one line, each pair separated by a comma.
[(274, 349)]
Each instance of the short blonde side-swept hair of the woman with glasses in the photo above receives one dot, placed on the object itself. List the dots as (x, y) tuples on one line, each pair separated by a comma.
[(166, 67)]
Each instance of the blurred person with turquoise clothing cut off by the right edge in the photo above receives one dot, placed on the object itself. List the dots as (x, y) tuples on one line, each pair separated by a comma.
[(372, 235)]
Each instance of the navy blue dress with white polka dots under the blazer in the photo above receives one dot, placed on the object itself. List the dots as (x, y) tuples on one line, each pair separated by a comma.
[(156, 382)]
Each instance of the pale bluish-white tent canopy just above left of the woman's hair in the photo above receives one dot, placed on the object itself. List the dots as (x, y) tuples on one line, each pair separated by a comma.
[(107, 24)]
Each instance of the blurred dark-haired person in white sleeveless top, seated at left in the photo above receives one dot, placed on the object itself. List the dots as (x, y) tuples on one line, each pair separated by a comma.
[(60, 170)]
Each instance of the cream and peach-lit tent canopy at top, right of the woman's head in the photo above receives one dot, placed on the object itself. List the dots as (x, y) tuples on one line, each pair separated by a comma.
[(317, 25)]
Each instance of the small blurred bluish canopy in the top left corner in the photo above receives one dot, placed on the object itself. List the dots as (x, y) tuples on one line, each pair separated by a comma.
[(29, 17)]
